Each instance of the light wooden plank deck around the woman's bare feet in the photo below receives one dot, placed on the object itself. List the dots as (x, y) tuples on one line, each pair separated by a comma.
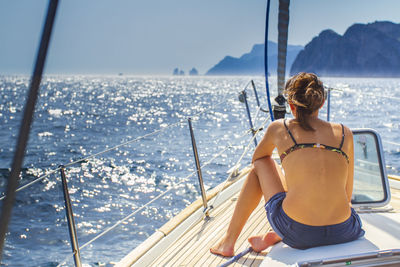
[(192, 249)]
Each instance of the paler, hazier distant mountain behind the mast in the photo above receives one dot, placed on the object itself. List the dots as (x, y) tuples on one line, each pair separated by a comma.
[(253, 63)]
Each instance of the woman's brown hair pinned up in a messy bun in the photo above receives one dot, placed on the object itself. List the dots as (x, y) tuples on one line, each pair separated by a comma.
[(306, 92)]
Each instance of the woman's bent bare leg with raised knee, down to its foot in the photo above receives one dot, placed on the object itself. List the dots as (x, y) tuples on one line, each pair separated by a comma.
[(264, 179)]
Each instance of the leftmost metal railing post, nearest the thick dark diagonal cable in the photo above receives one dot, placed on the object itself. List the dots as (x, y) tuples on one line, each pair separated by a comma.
[(70, 218)]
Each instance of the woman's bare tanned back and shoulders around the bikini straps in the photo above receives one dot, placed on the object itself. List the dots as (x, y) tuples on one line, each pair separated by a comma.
[(319, 181)]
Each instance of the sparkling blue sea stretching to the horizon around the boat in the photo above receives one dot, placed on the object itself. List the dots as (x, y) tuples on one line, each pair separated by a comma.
[(125, 142)]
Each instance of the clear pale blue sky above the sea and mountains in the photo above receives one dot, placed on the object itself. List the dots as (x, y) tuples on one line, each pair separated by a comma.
[(139, 37)]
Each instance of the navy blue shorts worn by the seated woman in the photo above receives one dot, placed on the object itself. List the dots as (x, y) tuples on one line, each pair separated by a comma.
[(302, 236)]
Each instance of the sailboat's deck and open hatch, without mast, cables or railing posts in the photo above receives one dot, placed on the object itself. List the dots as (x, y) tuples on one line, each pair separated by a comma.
[(186, 239)]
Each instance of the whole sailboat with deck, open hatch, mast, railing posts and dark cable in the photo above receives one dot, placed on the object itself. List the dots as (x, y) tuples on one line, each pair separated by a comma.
[(186, 238)]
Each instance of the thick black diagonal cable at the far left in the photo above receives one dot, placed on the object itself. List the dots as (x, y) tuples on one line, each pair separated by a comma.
[(26, 122)]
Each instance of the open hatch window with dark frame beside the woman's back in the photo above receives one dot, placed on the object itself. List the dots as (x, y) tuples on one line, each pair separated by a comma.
[(370, 180)]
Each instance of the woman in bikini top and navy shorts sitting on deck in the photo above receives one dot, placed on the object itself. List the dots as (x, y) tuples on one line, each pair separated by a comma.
[(309, 205)]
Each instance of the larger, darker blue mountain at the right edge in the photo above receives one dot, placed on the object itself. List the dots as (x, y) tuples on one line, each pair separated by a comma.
[(364, 50)]
